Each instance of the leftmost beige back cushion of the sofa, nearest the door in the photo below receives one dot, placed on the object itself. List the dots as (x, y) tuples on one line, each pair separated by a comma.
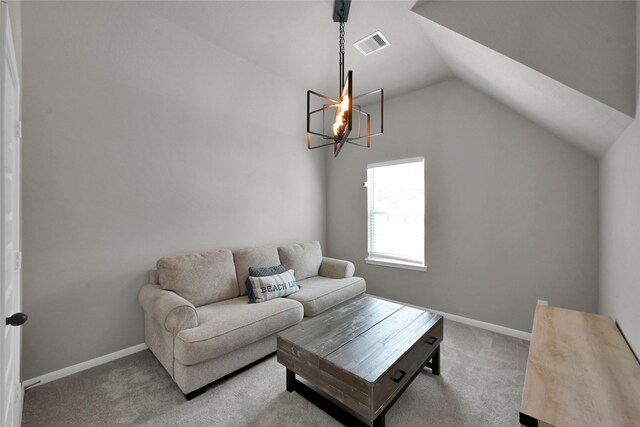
[(201, 278)]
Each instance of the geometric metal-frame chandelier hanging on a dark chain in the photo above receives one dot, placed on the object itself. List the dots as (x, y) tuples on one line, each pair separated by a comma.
[(343, 120)]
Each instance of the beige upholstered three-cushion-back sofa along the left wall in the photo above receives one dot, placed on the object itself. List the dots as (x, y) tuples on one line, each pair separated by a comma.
[(197, 319)]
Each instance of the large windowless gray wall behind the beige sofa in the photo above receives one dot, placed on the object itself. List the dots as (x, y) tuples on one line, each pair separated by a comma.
[(142, 140)]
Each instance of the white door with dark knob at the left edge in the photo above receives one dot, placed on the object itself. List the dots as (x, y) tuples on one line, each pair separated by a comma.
[(10, 288)]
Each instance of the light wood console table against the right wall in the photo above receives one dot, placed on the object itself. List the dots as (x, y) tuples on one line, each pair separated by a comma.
[(580, 372)]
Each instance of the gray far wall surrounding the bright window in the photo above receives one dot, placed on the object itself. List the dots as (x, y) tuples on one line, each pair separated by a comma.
[(512, 211)]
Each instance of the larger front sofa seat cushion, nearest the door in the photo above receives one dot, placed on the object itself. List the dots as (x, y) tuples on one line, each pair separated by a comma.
[(228, 325)]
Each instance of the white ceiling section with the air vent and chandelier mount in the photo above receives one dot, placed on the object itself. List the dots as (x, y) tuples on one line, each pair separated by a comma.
[(298, 40)]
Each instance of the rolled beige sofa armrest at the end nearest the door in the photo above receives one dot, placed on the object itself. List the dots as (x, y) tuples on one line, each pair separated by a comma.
[(169, 309)]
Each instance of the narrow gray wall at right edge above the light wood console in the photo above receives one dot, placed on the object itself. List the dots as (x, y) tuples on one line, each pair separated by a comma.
[(620, 228)]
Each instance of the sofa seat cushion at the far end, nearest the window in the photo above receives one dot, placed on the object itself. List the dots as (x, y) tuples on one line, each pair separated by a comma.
[(318, 294)]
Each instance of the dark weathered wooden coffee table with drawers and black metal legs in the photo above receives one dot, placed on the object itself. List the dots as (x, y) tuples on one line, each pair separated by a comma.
[(357, 359)]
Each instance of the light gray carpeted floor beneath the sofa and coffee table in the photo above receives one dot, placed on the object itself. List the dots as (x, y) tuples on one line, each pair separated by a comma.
[(480, 385)]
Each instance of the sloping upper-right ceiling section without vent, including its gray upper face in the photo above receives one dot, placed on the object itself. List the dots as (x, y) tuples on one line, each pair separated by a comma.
[(569, 66)]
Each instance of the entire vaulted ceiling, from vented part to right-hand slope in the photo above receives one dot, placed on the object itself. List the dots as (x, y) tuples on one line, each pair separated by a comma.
[(569, 66)]
